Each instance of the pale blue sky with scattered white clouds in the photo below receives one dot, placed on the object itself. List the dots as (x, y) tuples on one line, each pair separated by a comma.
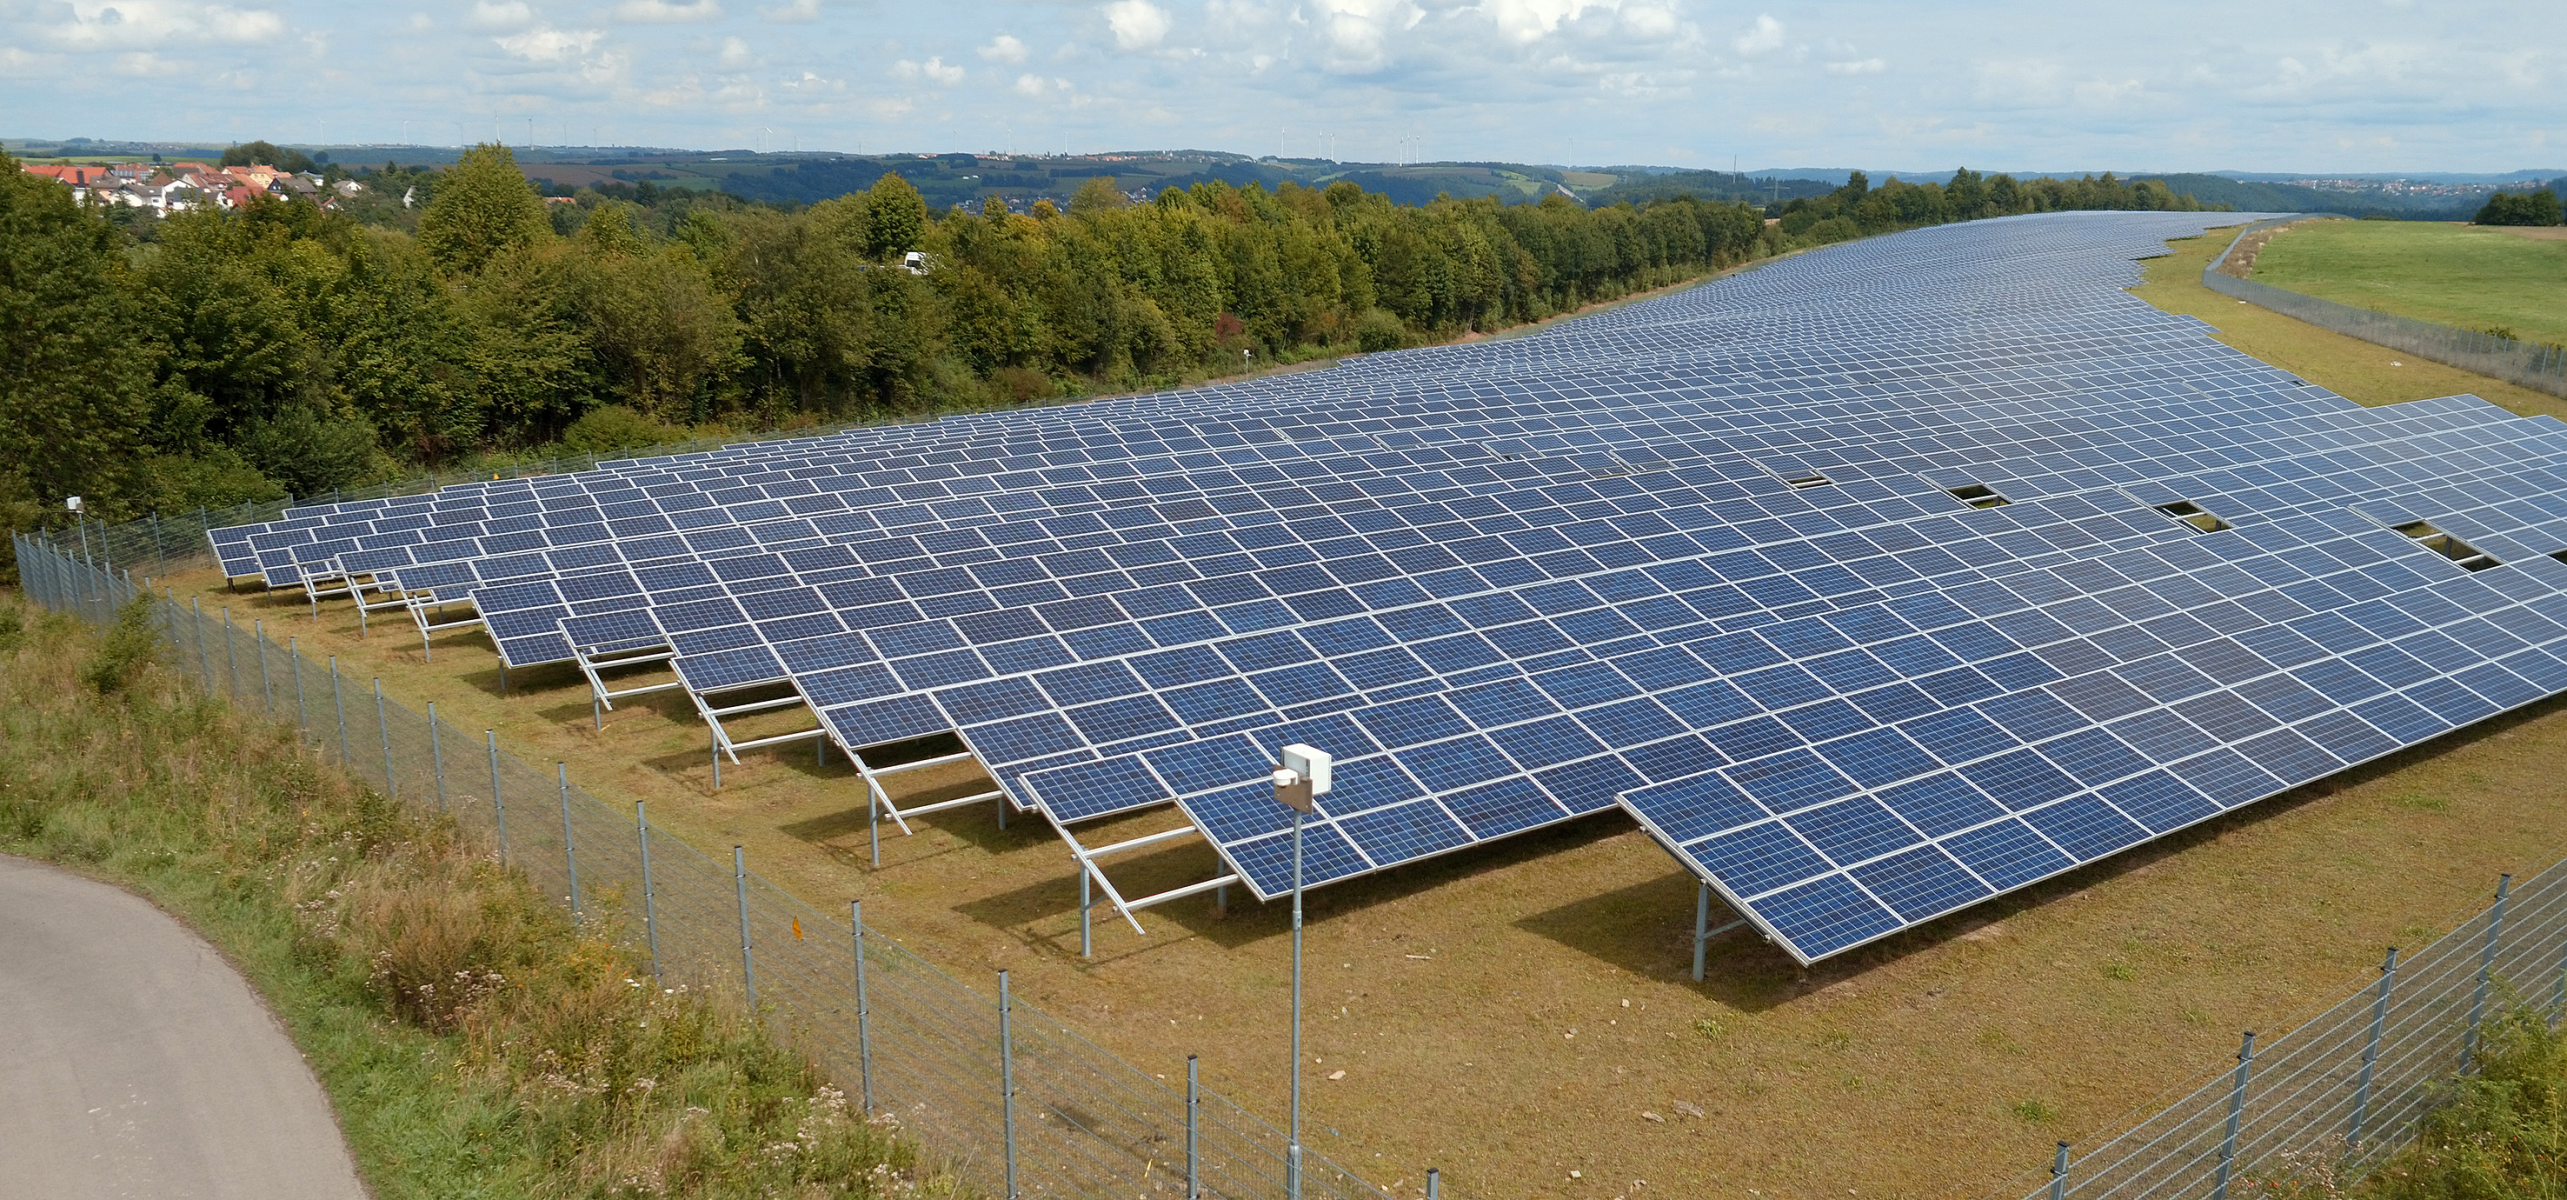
[(2348, 86)]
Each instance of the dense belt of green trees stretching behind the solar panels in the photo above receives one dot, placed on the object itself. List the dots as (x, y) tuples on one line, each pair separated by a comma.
[(461, 317)]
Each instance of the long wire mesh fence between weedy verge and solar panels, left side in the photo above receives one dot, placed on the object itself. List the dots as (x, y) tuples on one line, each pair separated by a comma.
[(1015, 1101)]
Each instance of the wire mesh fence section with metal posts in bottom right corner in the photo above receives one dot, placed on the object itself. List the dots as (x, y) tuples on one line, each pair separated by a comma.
[(2348, 1088)]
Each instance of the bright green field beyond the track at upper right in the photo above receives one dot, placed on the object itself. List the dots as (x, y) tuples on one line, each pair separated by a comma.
[(2450, 274)]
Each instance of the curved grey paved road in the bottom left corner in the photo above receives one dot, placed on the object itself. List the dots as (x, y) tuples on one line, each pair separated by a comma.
[(135, 1063)]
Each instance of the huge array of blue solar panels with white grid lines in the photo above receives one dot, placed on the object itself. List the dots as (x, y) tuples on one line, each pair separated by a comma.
[(1873, 582)]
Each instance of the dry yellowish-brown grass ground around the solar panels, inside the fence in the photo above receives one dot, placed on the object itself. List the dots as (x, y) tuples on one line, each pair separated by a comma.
[(1524, 1011)]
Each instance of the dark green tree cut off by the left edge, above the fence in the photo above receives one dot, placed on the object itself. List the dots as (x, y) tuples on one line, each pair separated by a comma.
[(76, 397)]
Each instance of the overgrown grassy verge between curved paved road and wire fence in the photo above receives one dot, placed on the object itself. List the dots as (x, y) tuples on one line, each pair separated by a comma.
[(474, 1039)]
